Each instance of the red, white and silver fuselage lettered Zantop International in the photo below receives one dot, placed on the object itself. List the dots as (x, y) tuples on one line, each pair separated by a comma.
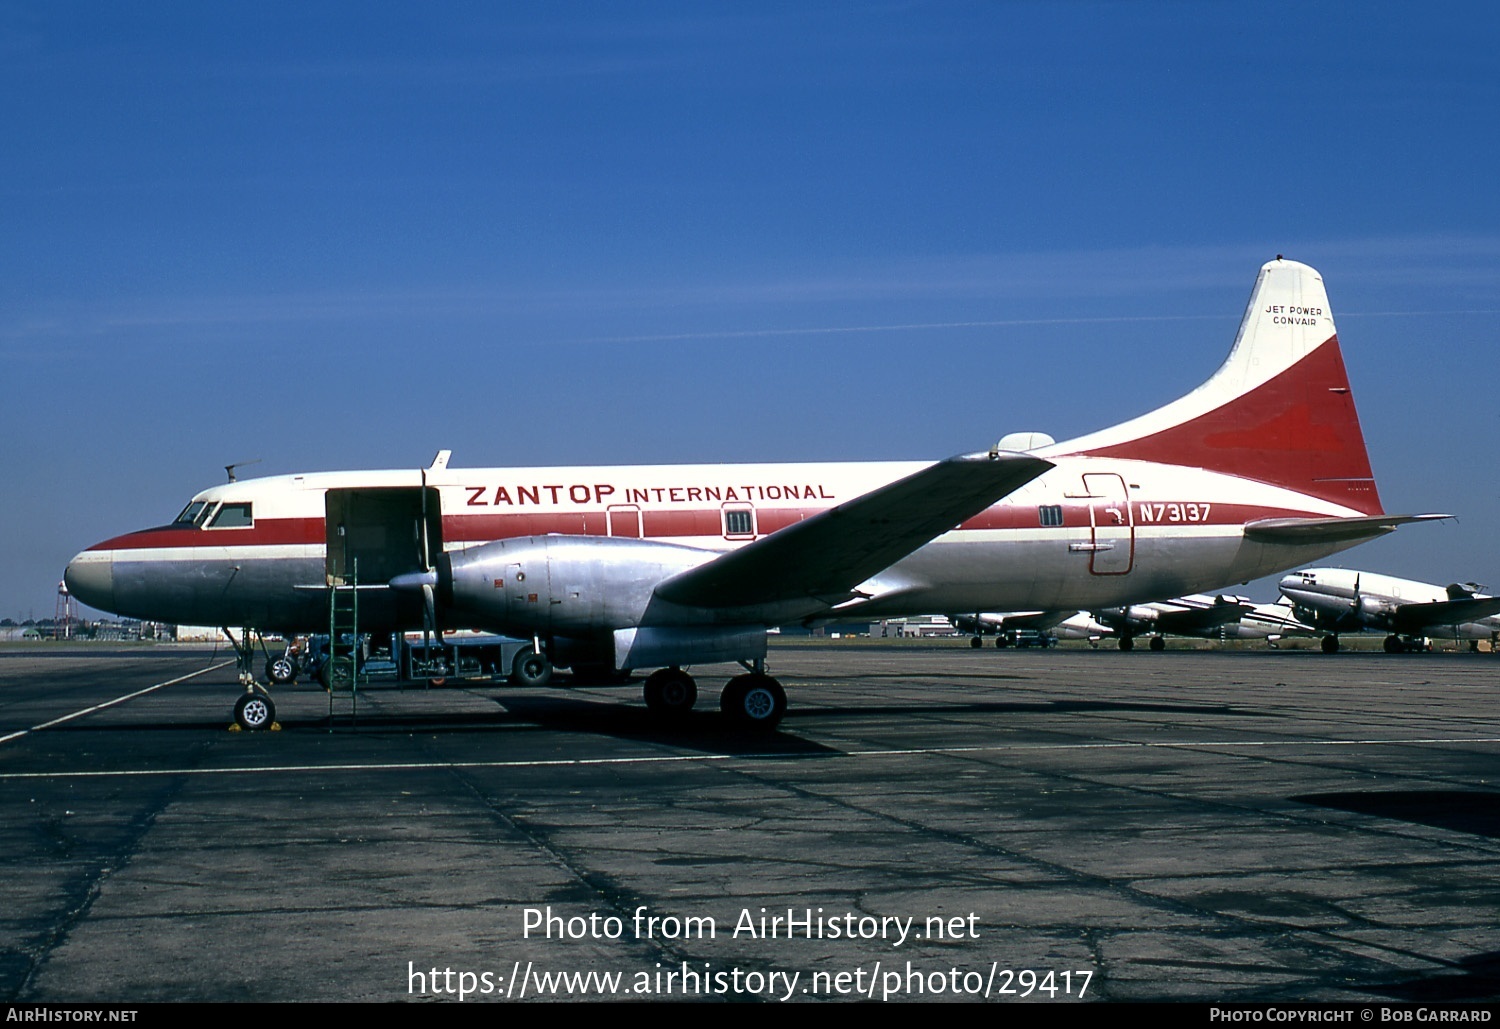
[(1168, 530)]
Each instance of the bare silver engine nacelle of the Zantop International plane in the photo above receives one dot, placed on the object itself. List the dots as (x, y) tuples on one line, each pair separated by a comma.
[(566, 586)]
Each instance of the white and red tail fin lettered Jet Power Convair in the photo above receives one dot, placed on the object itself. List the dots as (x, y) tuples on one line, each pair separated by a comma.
[(1279, 410)]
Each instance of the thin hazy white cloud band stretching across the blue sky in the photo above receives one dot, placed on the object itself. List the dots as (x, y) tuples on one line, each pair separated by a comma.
[(1027, 283)]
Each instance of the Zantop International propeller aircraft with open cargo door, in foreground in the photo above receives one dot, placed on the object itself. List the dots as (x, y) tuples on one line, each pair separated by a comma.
[(1259, 470)]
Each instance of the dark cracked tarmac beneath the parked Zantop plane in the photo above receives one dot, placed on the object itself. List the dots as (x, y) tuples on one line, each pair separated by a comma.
[(929, 823)]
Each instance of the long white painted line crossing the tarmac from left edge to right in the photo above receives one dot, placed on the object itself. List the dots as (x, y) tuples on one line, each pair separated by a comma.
[(659, 760)]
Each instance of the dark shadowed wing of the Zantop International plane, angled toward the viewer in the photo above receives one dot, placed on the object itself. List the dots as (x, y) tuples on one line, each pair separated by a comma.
[(832, 553)]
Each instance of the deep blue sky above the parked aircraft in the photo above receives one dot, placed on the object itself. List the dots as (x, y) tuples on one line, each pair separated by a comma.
[(340, 236)]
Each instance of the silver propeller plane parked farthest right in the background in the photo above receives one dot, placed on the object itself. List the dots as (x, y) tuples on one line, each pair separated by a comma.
[(1343, 601)]
